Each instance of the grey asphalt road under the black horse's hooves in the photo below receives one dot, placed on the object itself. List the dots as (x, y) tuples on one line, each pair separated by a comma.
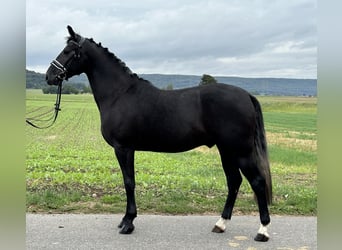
[(78, 231)]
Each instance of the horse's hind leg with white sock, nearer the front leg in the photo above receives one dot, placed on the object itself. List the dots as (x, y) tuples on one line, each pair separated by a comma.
[(234, 180)]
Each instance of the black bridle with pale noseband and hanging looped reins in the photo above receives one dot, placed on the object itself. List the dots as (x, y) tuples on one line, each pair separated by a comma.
[(61, 76)]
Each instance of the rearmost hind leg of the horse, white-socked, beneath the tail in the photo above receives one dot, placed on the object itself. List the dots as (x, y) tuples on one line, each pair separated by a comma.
[(258, 184)]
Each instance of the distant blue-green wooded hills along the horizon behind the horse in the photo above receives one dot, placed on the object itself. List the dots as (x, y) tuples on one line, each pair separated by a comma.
[(260, 86)]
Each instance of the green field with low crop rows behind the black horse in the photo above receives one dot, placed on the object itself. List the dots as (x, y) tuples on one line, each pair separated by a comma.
[(69, 167)]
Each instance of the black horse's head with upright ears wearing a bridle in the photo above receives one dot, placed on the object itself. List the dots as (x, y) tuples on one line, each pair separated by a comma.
[(69, 62)]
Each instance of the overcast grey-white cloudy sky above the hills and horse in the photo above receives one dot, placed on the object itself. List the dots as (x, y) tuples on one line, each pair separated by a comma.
[(246, 38)]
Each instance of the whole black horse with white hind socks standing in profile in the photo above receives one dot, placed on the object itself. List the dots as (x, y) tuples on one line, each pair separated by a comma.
[(135, 115)]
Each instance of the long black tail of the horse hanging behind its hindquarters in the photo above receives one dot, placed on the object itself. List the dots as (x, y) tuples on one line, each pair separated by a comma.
[(261, 151)]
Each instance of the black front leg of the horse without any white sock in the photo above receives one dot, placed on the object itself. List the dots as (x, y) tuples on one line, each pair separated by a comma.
[(126, 161)]
